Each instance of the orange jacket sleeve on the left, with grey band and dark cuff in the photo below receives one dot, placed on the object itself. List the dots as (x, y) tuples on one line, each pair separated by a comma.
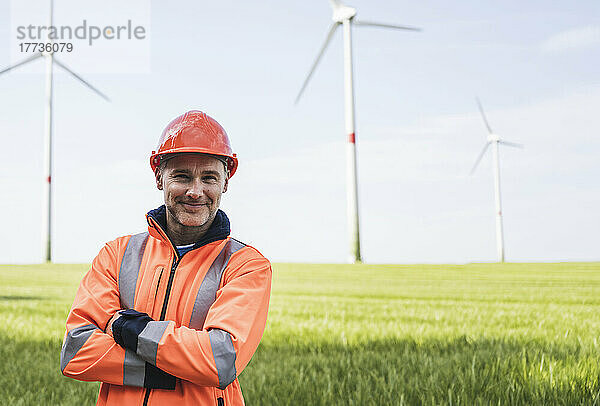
[(89, 354)]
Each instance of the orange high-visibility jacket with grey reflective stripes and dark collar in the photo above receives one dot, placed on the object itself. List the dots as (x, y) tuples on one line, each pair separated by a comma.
[(207, 313)]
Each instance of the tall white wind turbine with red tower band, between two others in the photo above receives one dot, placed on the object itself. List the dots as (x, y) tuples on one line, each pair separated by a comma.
[(345, 16)]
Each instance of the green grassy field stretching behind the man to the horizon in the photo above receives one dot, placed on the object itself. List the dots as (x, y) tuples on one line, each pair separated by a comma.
[(489, 334)]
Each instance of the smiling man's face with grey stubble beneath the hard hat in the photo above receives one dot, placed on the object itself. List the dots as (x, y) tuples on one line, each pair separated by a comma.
[(192, 185)]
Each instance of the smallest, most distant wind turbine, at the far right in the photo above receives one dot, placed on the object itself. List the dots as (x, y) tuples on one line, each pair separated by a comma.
[(495, 141)]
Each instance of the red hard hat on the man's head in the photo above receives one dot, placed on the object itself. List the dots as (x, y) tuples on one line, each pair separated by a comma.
[(194, 131)]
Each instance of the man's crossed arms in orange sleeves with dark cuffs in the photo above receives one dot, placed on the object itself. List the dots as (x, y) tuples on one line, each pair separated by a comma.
[(152, 354)]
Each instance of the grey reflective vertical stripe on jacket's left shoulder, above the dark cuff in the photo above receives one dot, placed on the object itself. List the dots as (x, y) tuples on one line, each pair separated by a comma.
[(130, 267)]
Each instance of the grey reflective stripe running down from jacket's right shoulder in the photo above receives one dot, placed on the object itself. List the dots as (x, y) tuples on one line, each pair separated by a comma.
[(208, 289)]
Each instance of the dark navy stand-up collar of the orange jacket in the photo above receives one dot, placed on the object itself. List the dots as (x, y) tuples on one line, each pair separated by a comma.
[(157, 226)]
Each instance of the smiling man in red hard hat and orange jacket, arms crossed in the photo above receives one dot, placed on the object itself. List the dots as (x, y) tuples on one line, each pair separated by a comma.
[(172, 316)]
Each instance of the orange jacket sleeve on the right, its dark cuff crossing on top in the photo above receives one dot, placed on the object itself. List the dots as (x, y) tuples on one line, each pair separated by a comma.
[(217, 354)]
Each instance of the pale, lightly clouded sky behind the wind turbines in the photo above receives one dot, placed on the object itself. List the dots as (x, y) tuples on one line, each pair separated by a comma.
[(535, 65)]
